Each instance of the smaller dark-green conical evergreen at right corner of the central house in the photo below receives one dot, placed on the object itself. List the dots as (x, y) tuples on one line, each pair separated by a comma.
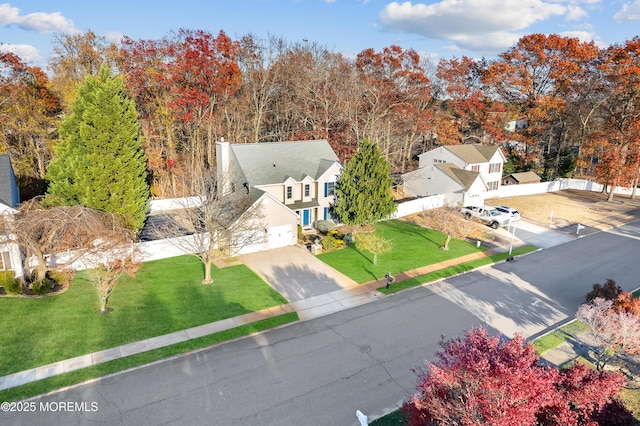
[(363, 191)]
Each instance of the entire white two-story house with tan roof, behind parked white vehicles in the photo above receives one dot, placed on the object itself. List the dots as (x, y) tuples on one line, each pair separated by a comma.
[(486, 161)]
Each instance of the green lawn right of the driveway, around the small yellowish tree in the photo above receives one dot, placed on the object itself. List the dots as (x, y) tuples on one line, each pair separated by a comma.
[(413, 247)]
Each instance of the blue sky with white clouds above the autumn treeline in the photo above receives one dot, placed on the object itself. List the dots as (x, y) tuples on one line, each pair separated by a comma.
[(438, 28)]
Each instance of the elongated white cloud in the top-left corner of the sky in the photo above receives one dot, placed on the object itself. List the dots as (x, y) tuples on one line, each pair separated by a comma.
[(40, 22)]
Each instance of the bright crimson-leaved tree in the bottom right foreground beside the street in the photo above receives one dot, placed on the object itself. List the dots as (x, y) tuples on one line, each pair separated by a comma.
[(480, 380)]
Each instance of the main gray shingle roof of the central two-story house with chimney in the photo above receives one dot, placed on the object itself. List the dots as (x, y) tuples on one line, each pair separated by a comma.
[(267, 163)]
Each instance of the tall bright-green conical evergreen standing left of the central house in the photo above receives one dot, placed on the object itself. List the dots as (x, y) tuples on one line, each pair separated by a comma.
[(99, 162)]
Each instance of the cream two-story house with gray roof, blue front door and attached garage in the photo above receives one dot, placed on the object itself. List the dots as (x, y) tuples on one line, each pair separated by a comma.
[(294, 181)]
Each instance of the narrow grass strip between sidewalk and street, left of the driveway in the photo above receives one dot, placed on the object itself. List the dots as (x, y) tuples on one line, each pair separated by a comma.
[(78, 376)]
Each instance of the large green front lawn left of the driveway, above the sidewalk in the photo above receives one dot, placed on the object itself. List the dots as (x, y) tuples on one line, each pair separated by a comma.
[(165, 296)]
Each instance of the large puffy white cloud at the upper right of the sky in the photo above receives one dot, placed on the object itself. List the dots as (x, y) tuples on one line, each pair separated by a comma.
[(480, 25)]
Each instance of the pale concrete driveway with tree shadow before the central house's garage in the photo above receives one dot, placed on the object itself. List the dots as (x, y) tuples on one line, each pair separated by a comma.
[(295, 273)]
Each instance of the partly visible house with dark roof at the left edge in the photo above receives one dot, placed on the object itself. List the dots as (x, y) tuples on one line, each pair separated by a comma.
[(10, 258)]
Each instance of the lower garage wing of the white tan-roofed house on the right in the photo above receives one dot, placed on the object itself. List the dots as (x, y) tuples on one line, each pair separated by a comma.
[(459, 187)]
